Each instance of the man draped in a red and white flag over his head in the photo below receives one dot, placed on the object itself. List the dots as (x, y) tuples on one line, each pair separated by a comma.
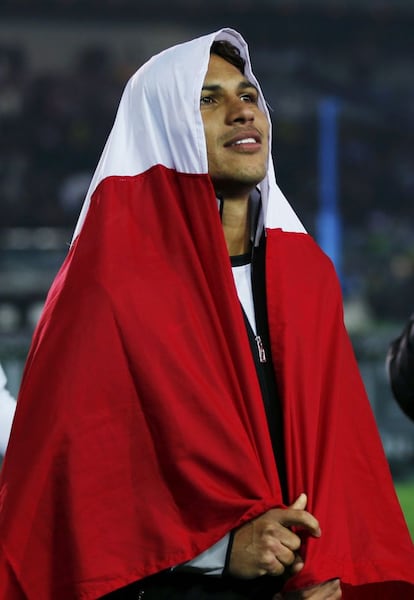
[(187, 409)]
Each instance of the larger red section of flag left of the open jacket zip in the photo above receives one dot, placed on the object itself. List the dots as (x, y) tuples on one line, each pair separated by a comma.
[(133, 435)]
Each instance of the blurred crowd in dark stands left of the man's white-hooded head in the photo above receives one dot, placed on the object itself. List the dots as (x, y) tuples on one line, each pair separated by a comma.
[(53, 129)]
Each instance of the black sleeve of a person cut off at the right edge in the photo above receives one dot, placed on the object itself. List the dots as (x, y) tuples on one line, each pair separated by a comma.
[(400, 365)]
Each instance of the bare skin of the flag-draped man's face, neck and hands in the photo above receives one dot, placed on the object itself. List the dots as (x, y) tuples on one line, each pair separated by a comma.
[(237, 139)]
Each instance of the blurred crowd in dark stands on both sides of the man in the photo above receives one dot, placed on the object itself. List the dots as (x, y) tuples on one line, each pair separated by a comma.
[(54, 125)]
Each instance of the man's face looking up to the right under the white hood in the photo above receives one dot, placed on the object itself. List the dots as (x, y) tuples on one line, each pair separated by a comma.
[(236, 130)]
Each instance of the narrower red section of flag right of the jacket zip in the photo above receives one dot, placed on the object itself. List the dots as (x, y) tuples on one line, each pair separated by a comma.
[(333, 450)]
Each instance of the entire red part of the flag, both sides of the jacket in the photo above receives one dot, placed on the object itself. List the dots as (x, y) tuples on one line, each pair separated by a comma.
[(140, 437)]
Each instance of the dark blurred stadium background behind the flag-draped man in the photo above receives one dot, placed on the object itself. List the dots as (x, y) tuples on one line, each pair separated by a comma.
[(63, 65)]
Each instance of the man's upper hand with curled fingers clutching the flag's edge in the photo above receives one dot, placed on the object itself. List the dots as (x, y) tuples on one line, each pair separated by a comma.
[(267, 546)]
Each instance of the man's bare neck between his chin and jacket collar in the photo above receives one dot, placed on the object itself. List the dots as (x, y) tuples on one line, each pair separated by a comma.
[(236, 226)]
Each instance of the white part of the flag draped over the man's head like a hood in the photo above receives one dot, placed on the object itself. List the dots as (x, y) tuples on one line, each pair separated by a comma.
[(145, 134)]
